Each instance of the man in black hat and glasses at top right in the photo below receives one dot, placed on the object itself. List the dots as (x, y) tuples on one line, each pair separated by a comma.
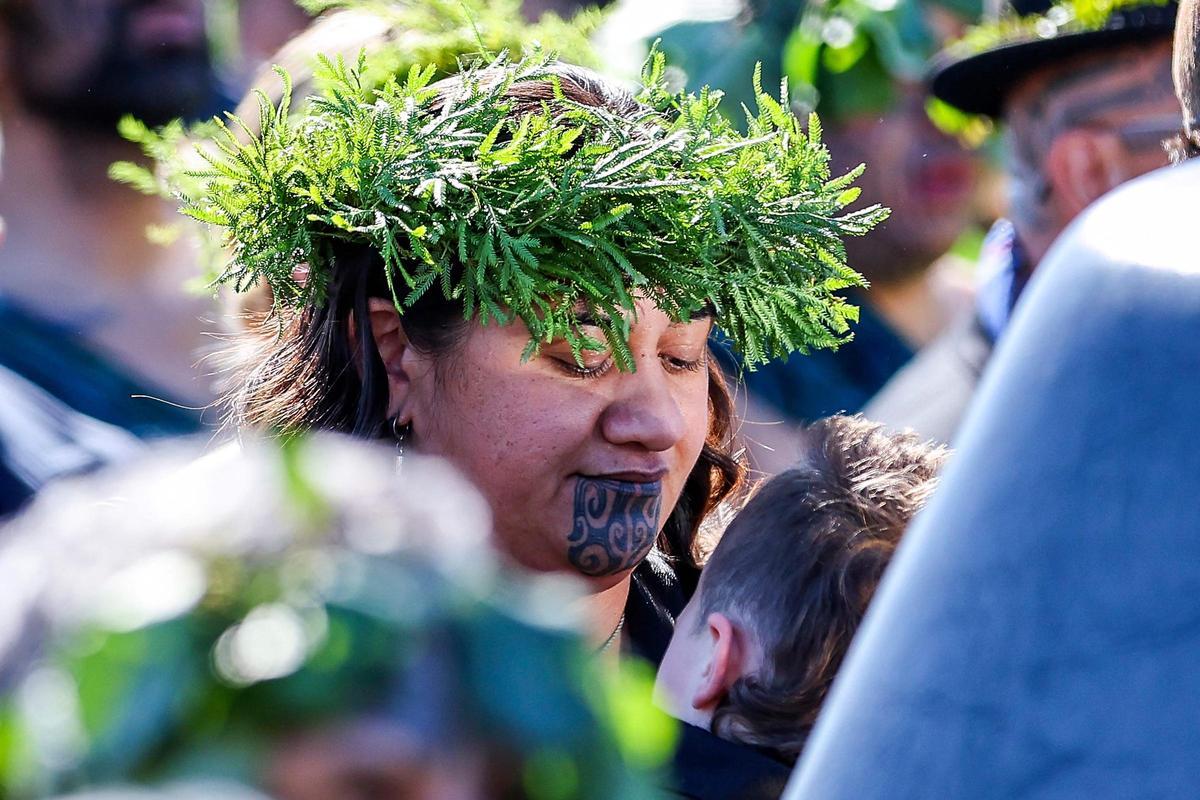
[(1085, 93)]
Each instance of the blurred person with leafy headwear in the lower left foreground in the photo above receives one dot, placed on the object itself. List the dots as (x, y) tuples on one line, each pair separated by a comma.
[(295, 619)]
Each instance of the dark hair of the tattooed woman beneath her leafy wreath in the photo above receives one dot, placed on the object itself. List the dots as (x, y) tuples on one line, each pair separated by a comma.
[(309, 370)]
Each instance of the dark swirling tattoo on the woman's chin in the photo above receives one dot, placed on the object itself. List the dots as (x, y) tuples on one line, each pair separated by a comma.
[(615, 525)]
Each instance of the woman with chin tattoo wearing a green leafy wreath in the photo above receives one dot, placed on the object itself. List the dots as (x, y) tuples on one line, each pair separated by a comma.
[(519, 269)]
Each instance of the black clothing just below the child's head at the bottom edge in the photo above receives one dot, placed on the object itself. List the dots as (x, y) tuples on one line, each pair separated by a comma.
[(710, 768)]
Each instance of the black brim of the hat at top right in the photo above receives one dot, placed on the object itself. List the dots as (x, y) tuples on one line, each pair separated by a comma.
[(980, 83)]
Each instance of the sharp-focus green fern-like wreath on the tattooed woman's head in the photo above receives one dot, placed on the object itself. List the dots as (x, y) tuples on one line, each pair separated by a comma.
[(544, 215)]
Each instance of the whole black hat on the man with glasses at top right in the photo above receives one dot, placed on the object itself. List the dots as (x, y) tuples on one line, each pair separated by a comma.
[(980, 83)]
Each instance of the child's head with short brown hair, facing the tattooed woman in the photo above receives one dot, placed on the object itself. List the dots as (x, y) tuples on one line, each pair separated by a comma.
[(783, 594)]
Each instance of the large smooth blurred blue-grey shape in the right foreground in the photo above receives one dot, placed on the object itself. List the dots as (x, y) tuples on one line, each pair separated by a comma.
[(1039, 635)]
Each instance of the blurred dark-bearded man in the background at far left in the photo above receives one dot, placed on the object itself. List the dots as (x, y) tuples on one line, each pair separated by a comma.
[(93, 314)]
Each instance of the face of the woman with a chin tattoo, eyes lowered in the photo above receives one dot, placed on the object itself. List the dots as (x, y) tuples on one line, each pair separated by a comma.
[(583, 466)]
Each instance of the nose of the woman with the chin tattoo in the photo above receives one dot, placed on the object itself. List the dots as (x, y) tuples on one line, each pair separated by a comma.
[(645, 412)]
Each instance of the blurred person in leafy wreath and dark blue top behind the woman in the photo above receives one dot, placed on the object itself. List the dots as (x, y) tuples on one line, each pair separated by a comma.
[(860, 67)]
